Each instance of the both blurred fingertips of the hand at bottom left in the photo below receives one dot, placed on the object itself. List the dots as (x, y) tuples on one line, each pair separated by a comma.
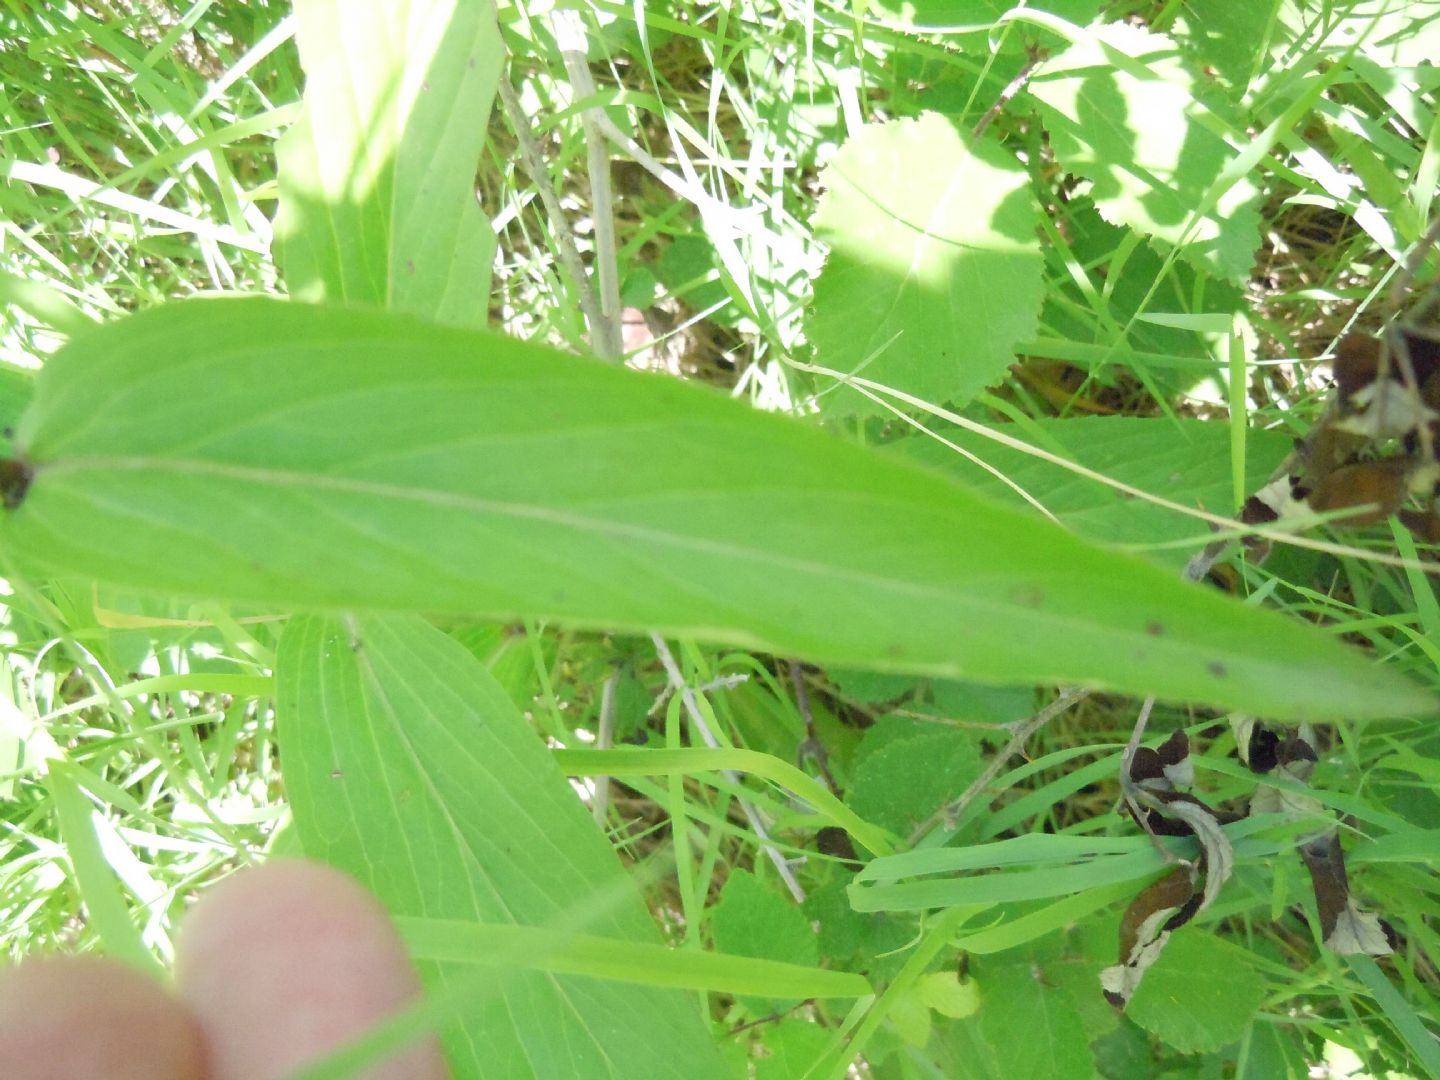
[(274, 968)]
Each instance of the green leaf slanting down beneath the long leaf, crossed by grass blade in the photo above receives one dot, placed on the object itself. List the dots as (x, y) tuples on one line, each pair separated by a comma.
[(408, 767)]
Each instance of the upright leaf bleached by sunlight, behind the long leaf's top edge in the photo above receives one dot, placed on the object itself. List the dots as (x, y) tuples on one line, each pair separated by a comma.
[(378, 179)]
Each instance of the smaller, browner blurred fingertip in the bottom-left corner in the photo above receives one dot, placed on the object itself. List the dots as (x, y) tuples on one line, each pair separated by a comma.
[(87, 1017)]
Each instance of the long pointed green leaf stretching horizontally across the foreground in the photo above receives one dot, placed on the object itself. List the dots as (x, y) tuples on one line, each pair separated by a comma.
[(292, 456)]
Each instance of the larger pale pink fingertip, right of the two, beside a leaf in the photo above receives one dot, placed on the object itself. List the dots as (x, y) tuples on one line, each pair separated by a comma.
[(290, 961)]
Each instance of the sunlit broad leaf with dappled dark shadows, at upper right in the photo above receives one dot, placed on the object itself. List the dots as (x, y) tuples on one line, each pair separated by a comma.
[(1122, 112)]
